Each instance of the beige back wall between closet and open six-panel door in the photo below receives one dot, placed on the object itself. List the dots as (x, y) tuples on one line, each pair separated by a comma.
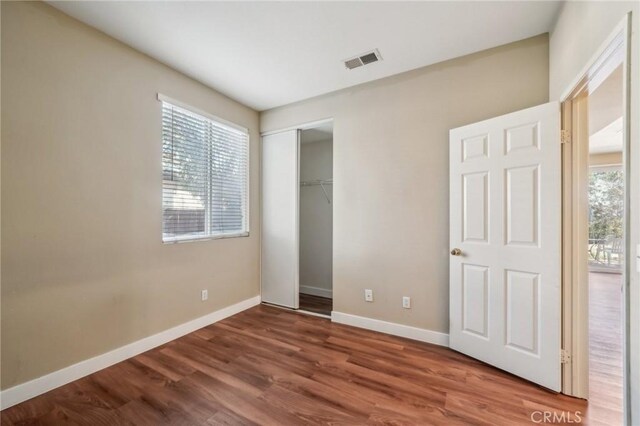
[(391, 156)]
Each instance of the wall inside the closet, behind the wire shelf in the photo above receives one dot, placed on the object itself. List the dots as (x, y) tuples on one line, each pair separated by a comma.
[(316, 218)]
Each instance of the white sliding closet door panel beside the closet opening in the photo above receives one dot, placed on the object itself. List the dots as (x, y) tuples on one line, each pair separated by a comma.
[(280, 187)]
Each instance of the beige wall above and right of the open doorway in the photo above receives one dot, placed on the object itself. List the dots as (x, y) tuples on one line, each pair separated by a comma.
[(581, 29)]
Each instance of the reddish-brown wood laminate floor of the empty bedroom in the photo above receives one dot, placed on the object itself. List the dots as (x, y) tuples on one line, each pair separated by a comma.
[(272, 366)]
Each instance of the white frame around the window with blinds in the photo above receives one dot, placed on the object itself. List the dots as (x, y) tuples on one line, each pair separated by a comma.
[(223, 123)]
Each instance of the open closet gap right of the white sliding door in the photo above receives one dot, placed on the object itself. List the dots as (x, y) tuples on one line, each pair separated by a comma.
[(316, 219)]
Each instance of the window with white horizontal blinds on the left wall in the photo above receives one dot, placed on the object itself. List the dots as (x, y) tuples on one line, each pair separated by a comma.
[(204, 182)]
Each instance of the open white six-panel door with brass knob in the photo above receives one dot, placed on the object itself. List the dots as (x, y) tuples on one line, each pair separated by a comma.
[(505, 213)]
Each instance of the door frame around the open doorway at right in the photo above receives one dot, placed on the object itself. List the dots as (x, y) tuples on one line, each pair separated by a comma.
[(575, 164)]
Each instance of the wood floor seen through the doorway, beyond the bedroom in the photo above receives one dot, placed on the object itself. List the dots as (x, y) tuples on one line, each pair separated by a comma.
[(605, 348)]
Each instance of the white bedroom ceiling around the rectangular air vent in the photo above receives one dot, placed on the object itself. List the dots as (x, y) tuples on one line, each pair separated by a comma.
[(267, 54)]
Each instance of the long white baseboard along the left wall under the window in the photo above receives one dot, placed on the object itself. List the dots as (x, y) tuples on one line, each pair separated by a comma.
[(35, 387)]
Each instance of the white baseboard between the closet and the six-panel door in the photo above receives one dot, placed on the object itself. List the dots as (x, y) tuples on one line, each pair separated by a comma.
[(395, 329)]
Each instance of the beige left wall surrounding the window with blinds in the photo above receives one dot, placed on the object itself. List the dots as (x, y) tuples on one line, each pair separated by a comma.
[(83, 267)]
